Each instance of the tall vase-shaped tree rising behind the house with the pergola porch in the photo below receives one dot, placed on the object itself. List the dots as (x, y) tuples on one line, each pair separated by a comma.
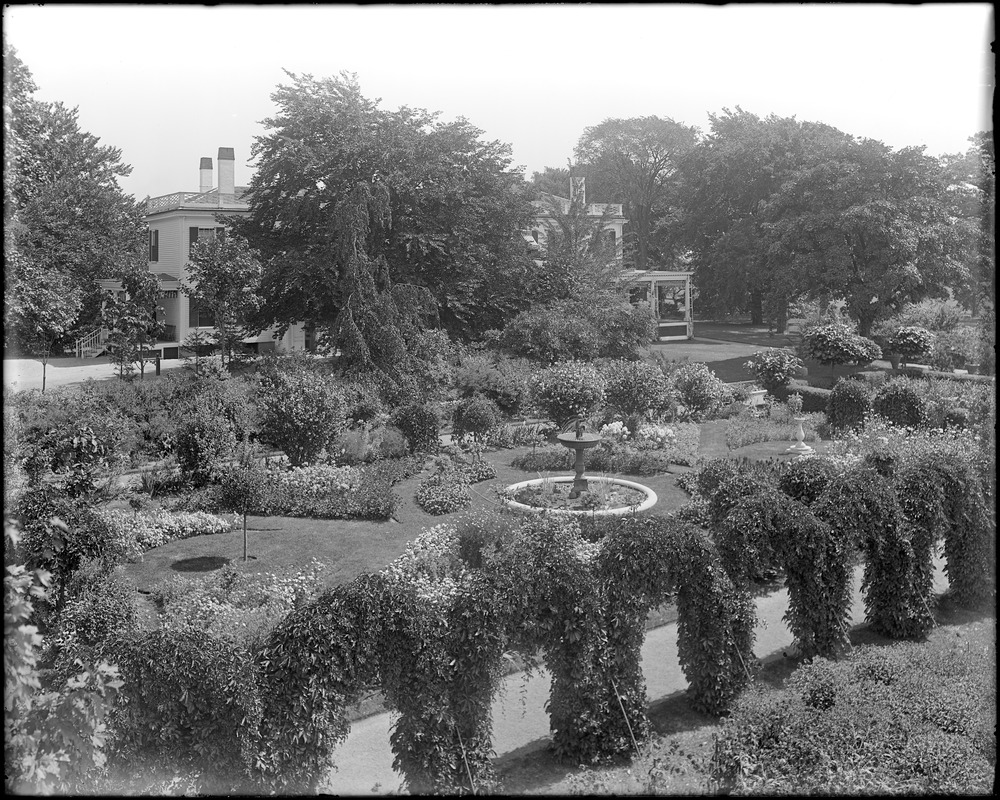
[(635, 161)]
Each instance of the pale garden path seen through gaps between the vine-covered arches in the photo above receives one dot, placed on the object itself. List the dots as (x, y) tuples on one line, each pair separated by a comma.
[(520, 723)]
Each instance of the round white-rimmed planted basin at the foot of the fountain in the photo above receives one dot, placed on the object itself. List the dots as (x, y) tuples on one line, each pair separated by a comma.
[(606, 496)]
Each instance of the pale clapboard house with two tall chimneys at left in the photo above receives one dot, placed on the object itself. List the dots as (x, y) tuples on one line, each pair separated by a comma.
[(175, 222)]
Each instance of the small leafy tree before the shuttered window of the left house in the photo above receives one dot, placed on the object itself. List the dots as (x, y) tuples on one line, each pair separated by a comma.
[(225, 277)]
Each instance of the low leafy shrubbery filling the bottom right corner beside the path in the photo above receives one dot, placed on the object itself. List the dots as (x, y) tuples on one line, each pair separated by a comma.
[(902, 719)]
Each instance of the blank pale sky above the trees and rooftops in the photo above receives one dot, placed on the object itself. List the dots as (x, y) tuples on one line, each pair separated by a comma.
[(170, 84)]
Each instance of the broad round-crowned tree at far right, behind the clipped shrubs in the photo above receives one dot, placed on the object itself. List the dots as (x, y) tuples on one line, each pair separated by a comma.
[(867, 224)]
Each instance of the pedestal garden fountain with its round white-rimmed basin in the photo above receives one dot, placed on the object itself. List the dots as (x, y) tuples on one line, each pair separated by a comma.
[(631, 497)]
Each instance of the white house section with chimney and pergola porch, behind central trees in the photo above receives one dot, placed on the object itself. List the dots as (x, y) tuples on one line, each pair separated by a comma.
[(667, 291)]
